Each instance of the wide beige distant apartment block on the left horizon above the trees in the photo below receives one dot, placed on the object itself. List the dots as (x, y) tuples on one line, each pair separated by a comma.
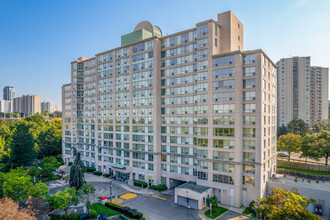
[(27, 104)]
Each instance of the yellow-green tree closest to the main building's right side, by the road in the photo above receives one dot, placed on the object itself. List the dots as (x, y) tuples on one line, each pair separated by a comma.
[(290, 143)]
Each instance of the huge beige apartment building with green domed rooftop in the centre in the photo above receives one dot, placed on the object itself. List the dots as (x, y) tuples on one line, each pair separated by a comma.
[(190, 106)]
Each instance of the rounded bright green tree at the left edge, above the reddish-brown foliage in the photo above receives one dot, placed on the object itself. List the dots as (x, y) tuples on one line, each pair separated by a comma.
[(16, 184)]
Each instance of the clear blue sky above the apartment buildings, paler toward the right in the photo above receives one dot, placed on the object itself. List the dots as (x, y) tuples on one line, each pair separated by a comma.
[(39, 39)]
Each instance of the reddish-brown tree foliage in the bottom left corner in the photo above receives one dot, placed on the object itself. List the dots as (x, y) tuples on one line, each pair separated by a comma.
[(10, 210)]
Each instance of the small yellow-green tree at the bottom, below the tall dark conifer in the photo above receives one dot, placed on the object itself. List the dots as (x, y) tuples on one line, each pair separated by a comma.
[(64, 199)]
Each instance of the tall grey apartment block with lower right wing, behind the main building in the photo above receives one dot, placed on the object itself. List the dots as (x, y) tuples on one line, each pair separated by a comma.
[(300, 93)]
